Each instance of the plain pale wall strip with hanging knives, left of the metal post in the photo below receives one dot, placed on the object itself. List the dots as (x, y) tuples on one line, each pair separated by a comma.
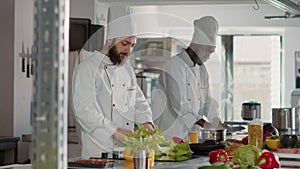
[(22, 85)]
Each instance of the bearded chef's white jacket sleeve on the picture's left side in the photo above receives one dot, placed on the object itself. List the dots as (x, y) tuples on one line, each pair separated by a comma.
[(87, 112)]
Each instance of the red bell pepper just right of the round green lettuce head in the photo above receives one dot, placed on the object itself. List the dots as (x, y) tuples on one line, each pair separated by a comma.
[(268, 160)]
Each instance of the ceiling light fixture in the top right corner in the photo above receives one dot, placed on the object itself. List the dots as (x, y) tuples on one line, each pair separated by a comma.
[(285, 5)]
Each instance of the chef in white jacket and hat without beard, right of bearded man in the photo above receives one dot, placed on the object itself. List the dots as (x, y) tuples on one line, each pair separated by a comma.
[(182, 98)]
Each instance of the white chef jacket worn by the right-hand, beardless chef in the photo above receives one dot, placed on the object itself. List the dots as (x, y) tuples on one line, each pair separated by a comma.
[(182, 97)]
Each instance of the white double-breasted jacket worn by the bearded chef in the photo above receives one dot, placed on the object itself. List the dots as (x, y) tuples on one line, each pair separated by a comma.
[(105, 97)]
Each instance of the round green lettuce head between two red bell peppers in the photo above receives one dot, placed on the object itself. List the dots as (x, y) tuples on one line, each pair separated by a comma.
[(247, 156)]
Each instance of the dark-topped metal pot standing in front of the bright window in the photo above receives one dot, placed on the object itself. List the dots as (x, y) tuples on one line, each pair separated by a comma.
[(251, 110)]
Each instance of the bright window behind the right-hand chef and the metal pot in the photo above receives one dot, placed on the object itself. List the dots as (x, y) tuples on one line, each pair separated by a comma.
[(250, 69)]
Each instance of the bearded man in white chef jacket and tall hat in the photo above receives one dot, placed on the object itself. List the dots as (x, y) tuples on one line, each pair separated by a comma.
[(106, 99)]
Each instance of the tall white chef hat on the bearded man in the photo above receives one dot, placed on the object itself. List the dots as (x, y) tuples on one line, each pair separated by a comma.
[(121, 22)]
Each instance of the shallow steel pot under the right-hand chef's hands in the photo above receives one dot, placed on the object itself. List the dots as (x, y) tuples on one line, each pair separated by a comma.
[(212, 135)]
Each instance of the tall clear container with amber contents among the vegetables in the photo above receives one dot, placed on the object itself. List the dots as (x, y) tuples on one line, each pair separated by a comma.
[(255, 133)]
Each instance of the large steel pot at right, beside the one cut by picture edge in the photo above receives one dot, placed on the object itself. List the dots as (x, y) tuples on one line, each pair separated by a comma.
[(283, 119)]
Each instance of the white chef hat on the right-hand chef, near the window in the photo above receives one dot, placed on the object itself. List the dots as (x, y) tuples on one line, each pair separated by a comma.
[(205, 31)]
